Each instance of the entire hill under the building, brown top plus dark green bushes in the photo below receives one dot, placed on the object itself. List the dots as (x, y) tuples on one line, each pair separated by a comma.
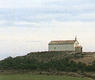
[(51, 61)]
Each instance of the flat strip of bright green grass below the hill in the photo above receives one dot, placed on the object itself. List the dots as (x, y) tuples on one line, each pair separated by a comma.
[(37, 77)]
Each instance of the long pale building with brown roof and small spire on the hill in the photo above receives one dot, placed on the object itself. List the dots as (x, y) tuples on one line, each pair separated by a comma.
[(65, 45)]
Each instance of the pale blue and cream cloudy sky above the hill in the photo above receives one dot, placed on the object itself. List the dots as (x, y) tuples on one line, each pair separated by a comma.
[(28, 25)]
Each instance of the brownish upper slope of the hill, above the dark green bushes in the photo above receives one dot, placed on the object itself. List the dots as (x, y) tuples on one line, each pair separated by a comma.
[(84, 57)]
